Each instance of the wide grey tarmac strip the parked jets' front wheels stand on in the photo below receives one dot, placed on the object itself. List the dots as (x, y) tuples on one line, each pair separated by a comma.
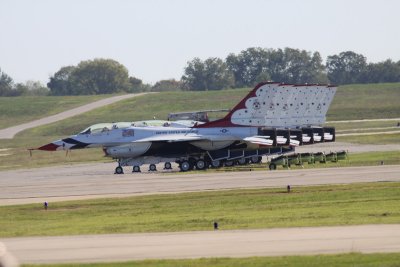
[(95, 180)]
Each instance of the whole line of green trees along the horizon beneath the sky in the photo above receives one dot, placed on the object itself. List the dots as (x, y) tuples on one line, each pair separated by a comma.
[(245, 69)]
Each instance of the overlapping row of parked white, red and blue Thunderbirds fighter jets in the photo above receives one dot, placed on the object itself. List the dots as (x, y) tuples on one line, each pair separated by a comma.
[(272, 118)]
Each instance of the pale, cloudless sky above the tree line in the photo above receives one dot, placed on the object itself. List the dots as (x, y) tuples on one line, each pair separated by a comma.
[(155, 39)]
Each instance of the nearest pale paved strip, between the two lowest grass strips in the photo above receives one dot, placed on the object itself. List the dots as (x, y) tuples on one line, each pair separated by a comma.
[(239, 243)]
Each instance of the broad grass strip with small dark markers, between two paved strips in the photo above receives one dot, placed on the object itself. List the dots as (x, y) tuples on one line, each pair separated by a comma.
[(364, 203)]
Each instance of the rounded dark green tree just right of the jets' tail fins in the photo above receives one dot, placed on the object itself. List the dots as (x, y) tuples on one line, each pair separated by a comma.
[(346, 68)]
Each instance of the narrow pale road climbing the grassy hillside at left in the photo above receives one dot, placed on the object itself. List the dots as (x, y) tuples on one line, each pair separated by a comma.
[(9, 133)]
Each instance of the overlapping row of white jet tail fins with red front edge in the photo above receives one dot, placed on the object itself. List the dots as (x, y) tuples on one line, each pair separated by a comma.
[(272, 104)]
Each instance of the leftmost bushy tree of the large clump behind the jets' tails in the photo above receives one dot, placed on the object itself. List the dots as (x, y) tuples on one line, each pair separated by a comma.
[(212, 74)]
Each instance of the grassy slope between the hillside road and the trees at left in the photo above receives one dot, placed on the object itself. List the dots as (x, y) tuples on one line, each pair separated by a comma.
[(17, 110)]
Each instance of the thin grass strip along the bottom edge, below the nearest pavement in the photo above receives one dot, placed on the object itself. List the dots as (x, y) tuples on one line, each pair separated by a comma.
[(339, 260)]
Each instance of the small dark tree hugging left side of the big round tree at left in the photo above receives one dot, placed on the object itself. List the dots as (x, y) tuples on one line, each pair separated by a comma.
[(60, 83)]
